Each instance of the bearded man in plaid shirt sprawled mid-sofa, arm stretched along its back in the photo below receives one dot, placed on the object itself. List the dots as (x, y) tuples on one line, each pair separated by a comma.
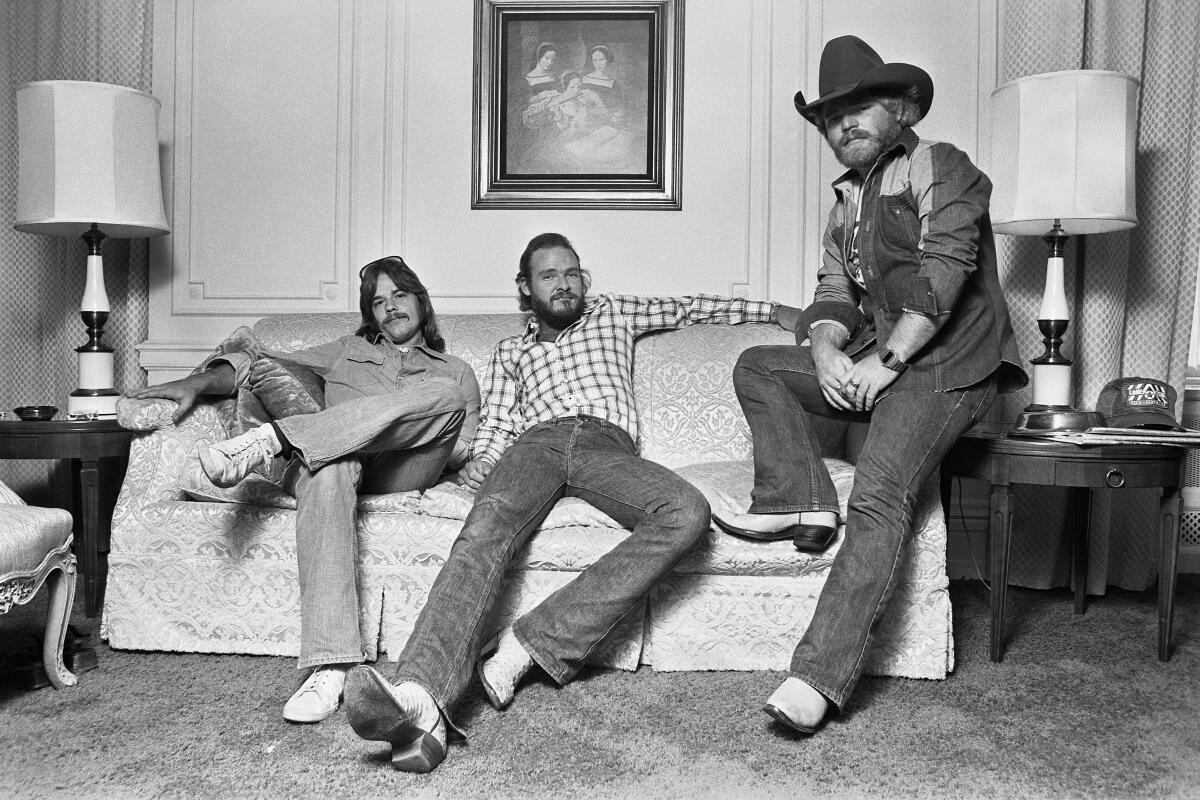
[(557, 422)]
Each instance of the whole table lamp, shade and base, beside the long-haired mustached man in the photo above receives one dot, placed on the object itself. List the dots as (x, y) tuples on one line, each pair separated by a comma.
[(88, 166)]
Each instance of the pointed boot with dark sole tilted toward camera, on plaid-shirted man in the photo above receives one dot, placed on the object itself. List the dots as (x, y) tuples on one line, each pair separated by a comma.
[(404, 715)]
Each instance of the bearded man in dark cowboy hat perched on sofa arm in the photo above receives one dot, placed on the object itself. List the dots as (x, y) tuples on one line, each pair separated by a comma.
[(908, 333)]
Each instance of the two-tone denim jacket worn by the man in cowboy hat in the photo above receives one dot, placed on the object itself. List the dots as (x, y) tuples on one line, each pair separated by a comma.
[(925, 246)]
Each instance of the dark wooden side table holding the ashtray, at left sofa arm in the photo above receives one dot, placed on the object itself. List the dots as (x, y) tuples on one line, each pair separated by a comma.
[(93, 456)]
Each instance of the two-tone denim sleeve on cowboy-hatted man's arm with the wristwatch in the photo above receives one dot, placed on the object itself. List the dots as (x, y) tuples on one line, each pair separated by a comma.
[(952, 199)]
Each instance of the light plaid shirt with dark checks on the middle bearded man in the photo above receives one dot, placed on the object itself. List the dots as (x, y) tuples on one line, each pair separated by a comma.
[(589, 369)]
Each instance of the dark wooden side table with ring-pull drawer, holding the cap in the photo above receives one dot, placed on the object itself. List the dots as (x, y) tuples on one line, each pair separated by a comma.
[(989, 455)]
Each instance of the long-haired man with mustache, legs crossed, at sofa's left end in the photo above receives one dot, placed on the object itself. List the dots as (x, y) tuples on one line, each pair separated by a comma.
[(400, 414)]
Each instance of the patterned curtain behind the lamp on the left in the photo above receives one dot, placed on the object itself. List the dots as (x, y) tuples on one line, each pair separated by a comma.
[(43, 278)]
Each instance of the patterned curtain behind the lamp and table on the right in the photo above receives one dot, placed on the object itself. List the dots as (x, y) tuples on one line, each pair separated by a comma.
[(1135, 304)]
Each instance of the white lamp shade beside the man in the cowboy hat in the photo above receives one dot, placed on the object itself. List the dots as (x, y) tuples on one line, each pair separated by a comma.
[(1063, 149)]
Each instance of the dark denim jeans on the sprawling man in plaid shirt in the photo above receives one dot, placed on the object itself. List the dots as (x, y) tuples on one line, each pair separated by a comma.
[(583, 458)]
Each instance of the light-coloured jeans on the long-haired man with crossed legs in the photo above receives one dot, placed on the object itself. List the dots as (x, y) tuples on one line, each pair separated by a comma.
[(383, 443)]
